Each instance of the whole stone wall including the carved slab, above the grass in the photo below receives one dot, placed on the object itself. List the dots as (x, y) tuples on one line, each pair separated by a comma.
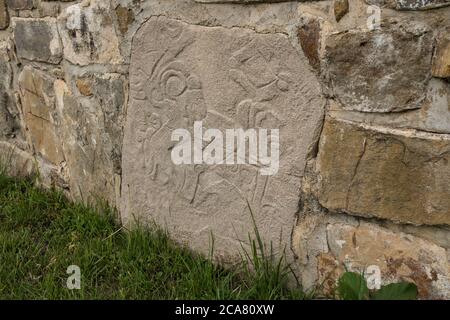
[(91, 91)]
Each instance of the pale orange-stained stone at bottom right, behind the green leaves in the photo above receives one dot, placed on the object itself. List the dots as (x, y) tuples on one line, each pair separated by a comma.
[(391, 256)]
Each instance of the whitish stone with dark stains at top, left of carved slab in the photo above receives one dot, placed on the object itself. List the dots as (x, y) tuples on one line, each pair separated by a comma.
[(88, 34)]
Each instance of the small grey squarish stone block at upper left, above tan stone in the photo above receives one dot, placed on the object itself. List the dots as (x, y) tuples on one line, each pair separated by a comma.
[(37, 39)]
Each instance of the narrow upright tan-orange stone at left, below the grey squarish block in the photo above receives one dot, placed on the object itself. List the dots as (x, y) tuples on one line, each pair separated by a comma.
[(37, 96)]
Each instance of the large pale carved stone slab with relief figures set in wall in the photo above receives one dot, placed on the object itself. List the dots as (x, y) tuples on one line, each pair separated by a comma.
[(227, 78)]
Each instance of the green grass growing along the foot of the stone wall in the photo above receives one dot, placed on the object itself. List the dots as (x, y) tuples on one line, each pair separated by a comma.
[(42, 233)]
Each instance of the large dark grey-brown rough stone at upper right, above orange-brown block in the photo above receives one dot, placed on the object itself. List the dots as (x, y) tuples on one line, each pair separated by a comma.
[(380, 71)]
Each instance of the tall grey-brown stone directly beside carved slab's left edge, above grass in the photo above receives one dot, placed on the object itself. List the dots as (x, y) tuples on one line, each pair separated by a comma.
[(90, 130)]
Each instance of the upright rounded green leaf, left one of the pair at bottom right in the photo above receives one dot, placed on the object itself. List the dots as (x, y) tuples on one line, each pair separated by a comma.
[(352, 286)]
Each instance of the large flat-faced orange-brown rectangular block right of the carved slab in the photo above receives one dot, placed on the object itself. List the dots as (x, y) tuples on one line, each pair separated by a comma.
[(391, 174)]
